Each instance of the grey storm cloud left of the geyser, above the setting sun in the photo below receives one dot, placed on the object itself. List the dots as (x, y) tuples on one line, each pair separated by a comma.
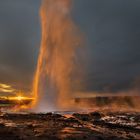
[(19, 40)]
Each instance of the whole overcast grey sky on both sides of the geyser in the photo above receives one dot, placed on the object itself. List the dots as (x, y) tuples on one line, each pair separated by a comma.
[(112, 34)]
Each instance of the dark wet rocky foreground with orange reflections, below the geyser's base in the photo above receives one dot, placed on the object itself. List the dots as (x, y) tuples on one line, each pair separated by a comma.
[(97, 125)]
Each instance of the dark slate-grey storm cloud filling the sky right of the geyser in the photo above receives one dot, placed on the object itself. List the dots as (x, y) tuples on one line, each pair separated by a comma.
[(112, 28)]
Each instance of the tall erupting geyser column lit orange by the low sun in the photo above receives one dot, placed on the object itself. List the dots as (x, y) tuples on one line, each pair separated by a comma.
[(56, 61)]
